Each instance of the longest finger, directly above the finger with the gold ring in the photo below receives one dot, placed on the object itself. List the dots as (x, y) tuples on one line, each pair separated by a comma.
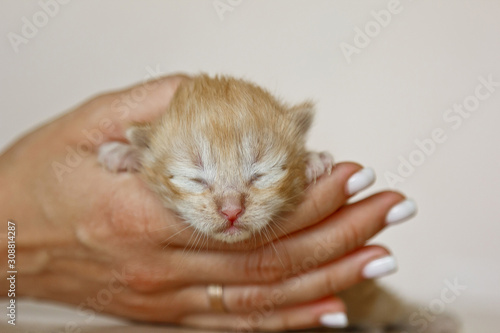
[(341, 233)]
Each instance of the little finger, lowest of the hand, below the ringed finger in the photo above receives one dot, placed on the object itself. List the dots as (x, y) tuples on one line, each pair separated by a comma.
[(269, 318)]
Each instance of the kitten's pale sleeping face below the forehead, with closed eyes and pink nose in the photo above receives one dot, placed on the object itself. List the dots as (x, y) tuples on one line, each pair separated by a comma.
[(253, 183)]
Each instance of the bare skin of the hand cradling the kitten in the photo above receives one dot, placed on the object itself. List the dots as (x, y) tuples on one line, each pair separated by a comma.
[(85, 233)]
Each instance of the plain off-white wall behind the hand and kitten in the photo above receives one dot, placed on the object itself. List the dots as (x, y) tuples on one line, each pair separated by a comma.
[(371, 109)]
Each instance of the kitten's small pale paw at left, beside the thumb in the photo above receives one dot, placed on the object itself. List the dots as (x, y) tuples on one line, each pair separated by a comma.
[(118, 156)]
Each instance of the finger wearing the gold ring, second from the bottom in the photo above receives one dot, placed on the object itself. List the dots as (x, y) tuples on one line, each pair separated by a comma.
[(237, 299)]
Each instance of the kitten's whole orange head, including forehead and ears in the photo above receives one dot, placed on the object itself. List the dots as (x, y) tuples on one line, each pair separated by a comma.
[(228, 158)]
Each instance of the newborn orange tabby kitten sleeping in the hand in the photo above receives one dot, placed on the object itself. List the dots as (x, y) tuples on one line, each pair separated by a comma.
[(230, 159)]
